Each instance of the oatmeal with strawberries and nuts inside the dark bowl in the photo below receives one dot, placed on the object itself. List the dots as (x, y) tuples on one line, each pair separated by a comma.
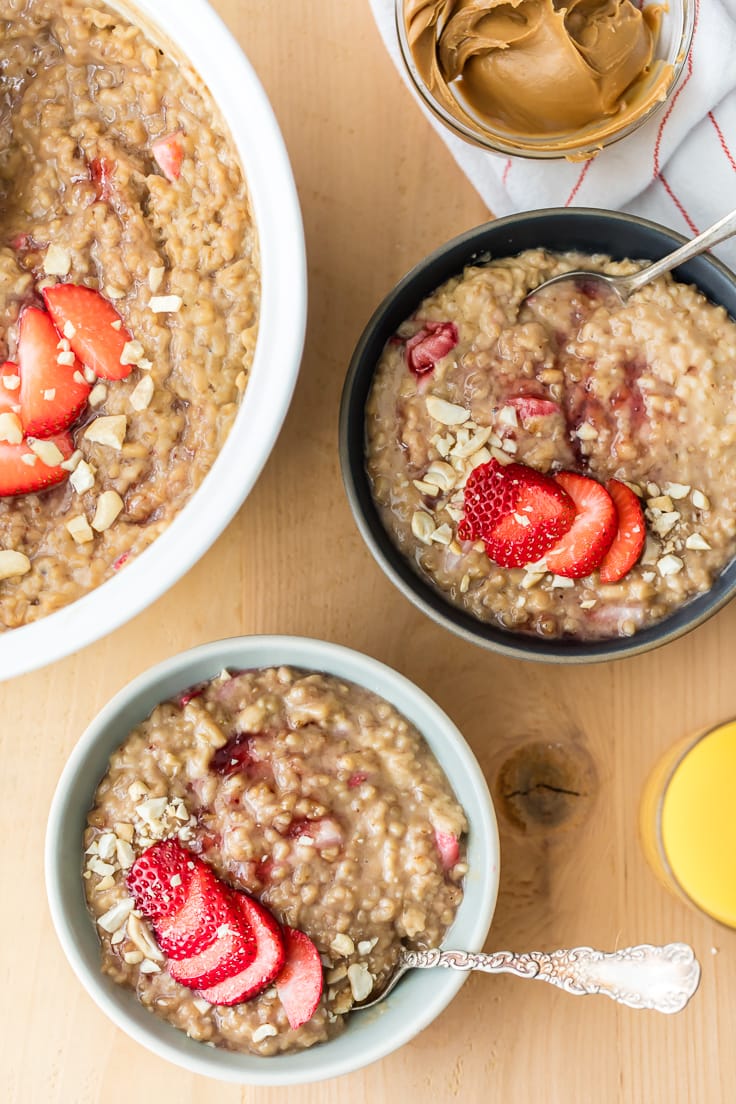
[(478, 388)]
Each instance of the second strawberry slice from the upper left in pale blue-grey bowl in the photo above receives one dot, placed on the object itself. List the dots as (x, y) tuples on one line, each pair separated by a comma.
[(205, 911)]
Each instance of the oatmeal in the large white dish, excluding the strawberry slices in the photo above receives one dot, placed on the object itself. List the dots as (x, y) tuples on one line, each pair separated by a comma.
[(88, 93)]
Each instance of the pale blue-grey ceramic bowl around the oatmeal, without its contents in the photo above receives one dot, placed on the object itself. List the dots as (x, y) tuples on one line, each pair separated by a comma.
[(370, 1036)]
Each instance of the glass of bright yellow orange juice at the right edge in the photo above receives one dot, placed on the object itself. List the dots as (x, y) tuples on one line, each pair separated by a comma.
[(689, 822)]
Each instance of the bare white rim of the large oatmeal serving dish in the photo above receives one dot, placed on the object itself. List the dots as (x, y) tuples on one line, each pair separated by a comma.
[(199, 34)]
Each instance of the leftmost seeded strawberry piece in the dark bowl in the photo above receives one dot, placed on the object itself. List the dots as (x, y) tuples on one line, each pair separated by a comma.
[(518, 513)]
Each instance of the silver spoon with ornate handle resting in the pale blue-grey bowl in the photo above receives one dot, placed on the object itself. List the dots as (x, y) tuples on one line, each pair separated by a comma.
[(659, 979)]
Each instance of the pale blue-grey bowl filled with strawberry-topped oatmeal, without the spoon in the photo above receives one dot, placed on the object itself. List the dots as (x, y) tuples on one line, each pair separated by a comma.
[(296, 779)]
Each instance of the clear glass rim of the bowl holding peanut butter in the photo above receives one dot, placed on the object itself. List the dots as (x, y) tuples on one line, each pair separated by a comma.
[(577, 146)]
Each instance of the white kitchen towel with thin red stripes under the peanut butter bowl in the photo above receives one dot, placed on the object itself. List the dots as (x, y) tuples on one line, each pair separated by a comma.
[(679, 169)]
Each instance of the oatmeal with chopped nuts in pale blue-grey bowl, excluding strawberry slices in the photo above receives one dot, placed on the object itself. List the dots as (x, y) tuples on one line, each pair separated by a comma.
[(311, 794)]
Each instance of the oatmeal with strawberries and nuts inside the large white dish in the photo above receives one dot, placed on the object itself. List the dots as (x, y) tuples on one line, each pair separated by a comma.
[(118, 175)]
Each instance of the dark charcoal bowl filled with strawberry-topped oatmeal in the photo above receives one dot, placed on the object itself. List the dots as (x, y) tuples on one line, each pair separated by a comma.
[(547, 476)]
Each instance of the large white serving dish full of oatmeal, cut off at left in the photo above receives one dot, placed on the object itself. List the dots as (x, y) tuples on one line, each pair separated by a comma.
[(150, 263)]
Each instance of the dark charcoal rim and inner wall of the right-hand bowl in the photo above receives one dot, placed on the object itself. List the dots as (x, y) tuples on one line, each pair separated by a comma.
[(414, 588)]
